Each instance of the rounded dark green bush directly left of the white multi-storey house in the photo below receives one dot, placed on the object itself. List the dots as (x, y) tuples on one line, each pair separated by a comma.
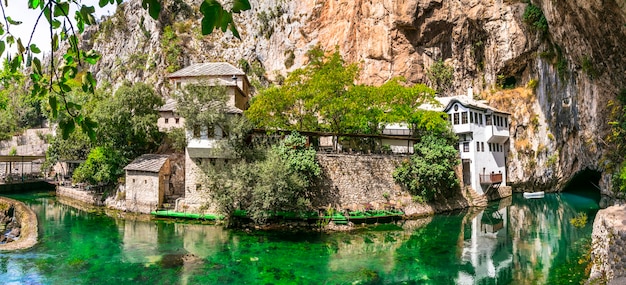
[(430, 170)]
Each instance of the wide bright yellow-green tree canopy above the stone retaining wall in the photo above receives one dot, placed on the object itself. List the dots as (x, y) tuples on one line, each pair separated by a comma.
[(323, 97)]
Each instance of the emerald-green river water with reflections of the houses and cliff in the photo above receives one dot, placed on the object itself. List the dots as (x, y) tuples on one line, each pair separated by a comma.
[(514, 241)]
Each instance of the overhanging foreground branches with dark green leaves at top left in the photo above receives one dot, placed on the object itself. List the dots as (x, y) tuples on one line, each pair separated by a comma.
[(54, 82)]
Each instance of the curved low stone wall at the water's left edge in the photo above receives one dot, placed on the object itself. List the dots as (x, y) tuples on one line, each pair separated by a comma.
[(28, 222)]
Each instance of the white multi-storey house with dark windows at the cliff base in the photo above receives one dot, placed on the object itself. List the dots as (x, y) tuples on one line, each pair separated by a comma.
[(483, 133)]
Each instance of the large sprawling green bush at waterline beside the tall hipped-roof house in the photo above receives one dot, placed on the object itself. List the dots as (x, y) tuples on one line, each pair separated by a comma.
[(279, 178)]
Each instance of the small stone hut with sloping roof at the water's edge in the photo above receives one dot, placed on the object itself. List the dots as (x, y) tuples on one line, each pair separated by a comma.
[(147, 181)]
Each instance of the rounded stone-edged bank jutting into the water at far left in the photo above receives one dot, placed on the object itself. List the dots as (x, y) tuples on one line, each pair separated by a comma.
[(24, 229)]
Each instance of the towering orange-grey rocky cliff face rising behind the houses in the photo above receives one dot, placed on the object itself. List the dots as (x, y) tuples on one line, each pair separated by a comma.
[(564, 76)]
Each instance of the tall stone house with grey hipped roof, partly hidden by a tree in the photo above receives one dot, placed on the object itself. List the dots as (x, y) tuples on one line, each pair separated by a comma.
[(203, 143)]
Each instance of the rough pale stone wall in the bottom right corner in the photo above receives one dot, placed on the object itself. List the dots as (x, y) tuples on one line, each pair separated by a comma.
[(609, 246)]
